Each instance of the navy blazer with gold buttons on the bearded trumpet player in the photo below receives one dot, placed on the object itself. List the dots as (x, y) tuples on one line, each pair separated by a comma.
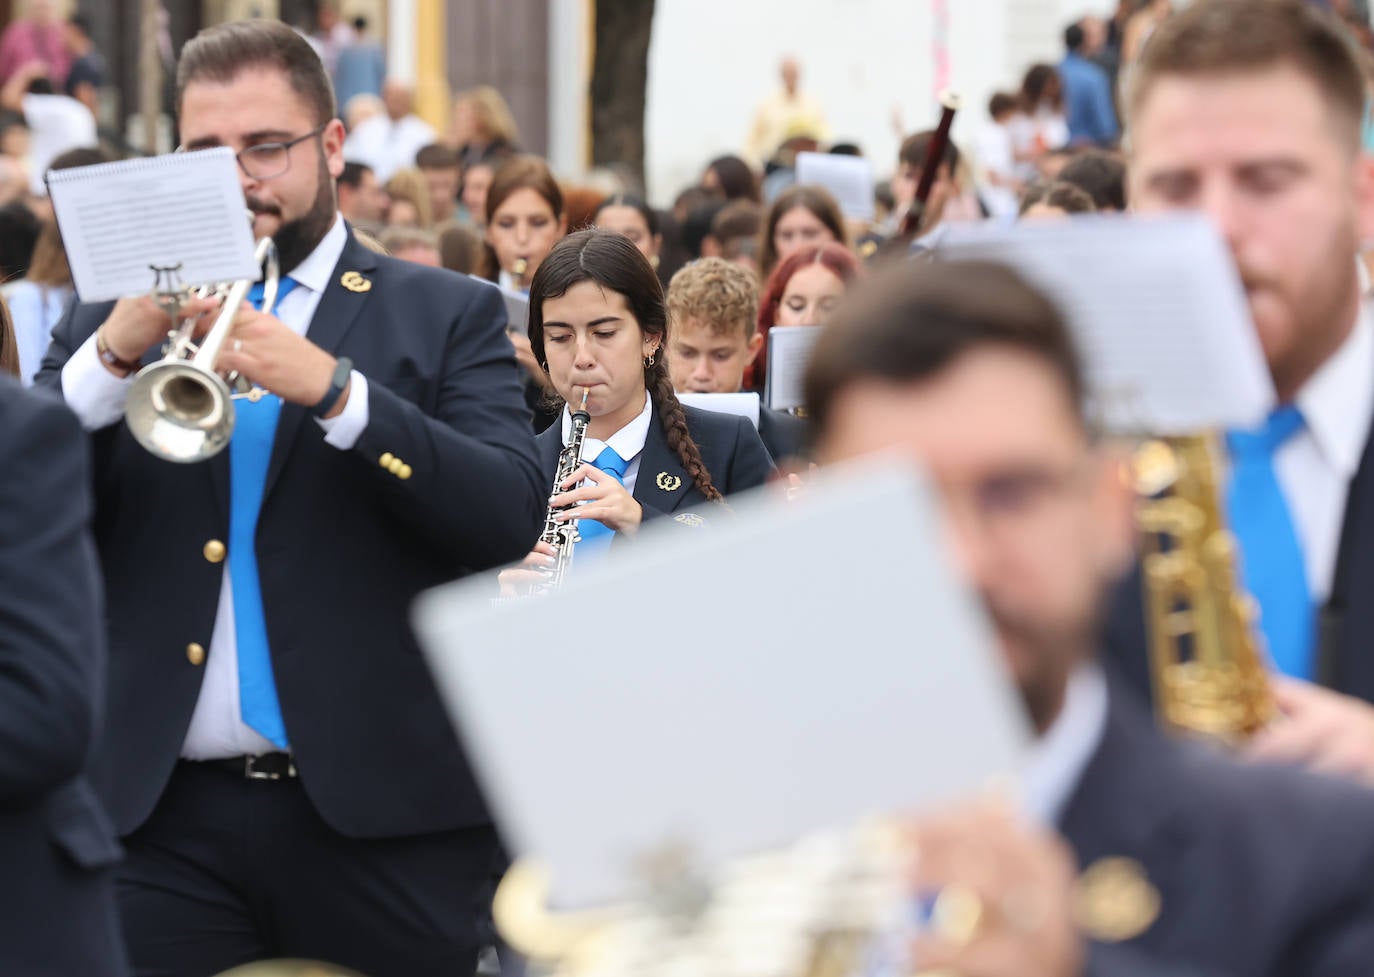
[(344, 545)]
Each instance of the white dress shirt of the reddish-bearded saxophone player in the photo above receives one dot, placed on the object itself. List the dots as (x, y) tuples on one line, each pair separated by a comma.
[(1317, 465)]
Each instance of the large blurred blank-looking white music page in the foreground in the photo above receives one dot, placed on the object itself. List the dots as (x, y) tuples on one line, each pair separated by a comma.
[(872, 688)]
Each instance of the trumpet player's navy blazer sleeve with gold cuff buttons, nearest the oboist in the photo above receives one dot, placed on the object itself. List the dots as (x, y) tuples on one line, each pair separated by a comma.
[(475, 480)]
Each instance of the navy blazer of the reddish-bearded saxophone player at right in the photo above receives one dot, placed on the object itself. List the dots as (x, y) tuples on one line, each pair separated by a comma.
[(1346, 625)]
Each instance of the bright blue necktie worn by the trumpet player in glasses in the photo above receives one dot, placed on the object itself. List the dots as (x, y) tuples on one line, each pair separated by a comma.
[(251, 449)]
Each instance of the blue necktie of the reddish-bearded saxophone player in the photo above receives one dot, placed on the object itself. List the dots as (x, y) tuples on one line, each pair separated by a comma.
[(1272, 559)]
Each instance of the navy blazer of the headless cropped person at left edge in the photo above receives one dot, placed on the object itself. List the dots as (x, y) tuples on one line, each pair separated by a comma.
[(57, 846)]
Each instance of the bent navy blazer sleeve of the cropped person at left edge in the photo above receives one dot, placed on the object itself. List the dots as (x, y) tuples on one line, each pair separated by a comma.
[(50, 598)]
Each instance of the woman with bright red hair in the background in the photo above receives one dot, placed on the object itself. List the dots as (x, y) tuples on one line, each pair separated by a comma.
[(802, 292)]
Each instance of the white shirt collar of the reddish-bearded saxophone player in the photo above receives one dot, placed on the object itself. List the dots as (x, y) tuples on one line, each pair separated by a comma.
[(1338, 403)]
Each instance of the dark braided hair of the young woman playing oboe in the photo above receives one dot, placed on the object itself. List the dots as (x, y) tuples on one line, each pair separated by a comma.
[(613, 263)]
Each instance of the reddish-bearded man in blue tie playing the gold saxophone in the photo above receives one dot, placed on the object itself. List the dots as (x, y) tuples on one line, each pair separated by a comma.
[(1252, 113)]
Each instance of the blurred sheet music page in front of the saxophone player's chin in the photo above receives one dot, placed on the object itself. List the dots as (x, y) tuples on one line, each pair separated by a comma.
[(1158, 311)]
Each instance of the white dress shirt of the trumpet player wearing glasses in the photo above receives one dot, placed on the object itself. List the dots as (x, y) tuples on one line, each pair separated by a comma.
[(98, 396)]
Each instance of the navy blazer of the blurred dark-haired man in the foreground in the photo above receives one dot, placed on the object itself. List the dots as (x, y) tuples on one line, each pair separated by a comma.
[(1263, 872)]
